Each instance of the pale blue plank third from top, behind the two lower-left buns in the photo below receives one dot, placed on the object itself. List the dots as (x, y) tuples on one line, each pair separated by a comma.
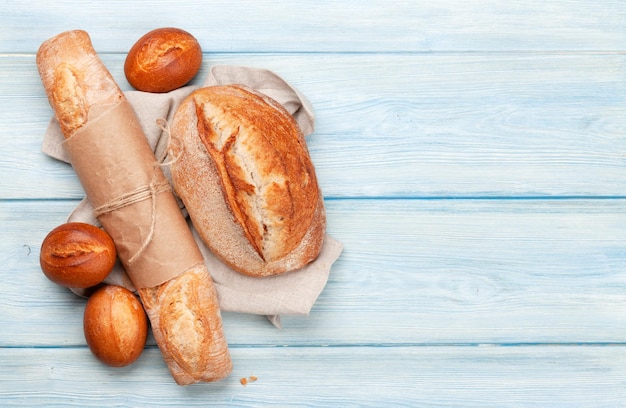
[(413, 272)]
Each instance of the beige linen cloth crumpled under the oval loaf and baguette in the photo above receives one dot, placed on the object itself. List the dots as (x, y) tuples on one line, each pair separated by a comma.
[(292, 293)]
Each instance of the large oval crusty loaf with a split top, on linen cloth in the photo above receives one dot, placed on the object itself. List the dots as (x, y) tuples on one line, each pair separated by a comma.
[(241, 166)]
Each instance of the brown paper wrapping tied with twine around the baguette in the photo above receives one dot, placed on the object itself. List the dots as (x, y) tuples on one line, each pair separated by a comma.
[(131, 196)]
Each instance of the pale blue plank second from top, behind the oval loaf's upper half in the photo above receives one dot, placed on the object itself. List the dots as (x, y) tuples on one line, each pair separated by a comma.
[(407, 126)]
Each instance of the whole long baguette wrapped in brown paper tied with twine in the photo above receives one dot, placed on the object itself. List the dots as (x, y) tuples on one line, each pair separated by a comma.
[(135, 205)]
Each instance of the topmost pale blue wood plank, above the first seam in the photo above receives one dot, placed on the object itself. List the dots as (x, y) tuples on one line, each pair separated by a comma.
[(329, 26)]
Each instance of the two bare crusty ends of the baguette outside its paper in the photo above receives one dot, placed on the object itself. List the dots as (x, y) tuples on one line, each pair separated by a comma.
[(184, 311)]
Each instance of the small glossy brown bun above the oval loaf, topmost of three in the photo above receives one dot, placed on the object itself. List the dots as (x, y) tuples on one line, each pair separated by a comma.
[(163, 60)]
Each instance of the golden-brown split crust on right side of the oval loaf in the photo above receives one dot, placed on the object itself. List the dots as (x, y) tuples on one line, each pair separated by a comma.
[(266, 173)]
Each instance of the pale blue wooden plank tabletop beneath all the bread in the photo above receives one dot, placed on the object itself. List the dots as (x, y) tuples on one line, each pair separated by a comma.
[(473, 159)]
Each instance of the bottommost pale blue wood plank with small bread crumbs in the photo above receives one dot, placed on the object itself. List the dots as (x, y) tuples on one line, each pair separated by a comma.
[(329, 376)]
